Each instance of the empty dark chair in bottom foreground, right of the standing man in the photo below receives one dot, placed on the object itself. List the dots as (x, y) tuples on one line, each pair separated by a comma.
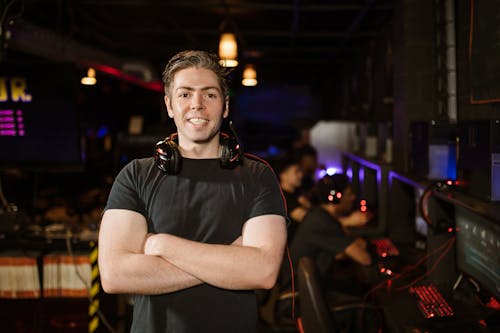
[(318, 309)]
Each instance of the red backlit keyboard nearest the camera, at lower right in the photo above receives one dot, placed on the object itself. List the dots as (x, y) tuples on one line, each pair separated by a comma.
[(430, 301)]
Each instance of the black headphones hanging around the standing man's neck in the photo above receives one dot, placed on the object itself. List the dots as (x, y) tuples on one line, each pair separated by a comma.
[(169, 160)]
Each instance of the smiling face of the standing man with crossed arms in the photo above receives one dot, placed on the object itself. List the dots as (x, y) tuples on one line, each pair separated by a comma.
[(197, 105)]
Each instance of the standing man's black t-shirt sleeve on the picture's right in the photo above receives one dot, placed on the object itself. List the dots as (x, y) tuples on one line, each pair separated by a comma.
[(267, 198)]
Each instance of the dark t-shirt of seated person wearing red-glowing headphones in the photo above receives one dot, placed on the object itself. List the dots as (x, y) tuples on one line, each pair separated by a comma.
[(317, 235)]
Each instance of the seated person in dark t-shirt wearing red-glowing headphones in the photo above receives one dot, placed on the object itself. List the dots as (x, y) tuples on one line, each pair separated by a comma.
[(321, 234)]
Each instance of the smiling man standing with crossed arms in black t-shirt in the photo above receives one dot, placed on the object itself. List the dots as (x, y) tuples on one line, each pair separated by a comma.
[(192, 244)]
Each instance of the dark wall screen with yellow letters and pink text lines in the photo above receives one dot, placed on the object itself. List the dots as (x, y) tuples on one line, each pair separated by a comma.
[(39, 125)]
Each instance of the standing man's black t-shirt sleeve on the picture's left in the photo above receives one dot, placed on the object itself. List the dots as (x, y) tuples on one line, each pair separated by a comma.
[(124, 192)]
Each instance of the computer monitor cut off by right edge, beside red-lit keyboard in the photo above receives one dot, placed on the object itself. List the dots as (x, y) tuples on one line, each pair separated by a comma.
[(478, 249)]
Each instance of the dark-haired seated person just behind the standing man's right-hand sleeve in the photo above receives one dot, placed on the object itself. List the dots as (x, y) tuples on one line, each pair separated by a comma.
[(290, 178)]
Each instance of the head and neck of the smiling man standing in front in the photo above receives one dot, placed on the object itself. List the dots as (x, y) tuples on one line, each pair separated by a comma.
[(196, 99)]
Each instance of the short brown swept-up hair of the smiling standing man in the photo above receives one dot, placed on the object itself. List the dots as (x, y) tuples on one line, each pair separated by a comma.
[(198, 59)]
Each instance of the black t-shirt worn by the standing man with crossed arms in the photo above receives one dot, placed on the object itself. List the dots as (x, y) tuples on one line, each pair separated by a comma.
[(204, 203)]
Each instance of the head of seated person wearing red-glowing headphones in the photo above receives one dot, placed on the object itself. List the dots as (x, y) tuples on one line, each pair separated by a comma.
[(336, 190)]
